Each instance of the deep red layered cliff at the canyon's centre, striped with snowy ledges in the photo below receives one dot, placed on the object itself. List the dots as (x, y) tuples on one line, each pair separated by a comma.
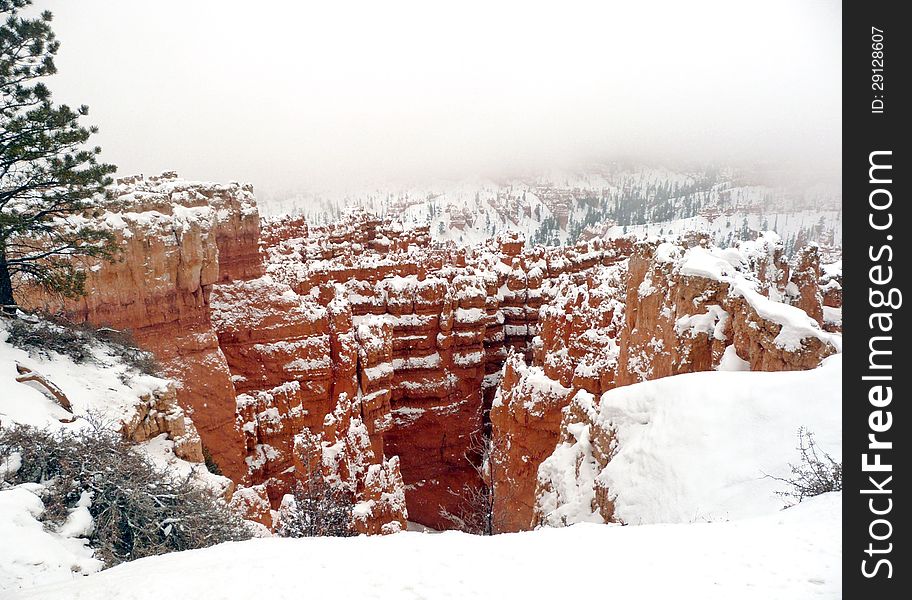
[(433, 325)]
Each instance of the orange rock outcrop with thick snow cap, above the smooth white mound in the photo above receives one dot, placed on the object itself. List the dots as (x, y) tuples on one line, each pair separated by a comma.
[(700, 299)]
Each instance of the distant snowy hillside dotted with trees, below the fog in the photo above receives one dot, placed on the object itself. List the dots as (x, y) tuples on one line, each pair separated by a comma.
[(472, 211)]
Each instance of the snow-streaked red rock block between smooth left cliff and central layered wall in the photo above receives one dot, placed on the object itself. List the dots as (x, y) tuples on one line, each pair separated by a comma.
[(276, 345)]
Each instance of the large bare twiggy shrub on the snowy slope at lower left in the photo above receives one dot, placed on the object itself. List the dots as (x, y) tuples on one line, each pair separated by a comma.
[(138, 509)]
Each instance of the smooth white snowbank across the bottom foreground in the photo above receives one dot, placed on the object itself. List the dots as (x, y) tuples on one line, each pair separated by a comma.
[(793, 554)]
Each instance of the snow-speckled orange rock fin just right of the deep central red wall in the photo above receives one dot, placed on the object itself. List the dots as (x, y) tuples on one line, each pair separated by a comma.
[(577, 348)]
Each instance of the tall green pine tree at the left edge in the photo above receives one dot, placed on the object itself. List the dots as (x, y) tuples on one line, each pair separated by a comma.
[(51, 184)]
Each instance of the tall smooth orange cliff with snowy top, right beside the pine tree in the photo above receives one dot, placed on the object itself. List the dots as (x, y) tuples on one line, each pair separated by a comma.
[(159, 290)]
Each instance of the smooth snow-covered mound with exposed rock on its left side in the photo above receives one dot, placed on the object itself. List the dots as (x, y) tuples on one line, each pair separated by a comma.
[(688, 448)]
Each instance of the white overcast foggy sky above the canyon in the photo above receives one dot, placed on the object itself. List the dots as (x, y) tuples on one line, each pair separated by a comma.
[(290, 95)]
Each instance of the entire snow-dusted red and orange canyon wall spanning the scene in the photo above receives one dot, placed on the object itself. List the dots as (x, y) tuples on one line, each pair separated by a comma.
[(414, 374)]
